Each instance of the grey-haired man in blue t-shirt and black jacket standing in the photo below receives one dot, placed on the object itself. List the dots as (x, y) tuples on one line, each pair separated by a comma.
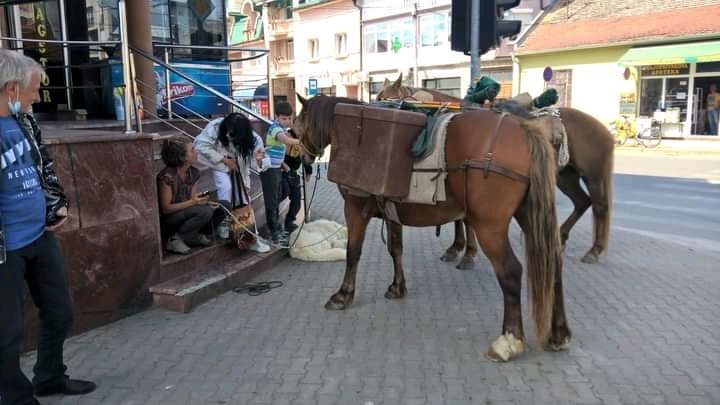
[(29, 251)]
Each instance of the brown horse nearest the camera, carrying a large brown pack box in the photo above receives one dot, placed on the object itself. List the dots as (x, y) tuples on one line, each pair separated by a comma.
[(515, 185)]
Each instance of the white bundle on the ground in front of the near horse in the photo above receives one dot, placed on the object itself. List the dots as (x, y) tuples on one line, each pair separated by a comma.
[(319, 241)]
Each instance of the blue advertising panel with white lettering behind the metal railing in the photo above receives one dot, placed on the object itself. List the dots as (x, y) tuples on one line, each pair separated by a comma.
[(186, 96)]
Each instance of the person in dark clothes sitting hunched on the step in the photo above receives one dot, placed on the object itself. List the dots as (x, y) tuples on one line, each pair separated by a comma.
[(187, 215)]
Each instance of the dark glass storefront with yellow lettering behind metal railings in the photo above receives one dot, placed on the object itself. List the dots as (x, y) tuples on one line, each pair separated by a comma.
[(83, 77)]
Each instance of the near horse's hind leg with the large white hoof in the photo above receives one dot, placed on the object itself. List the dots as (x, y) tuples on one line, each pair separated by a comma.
[(508, 270)]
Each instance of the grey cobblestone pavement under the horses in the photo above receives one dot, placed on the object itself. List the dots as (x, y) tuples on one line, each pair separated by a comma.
[(645, 322)]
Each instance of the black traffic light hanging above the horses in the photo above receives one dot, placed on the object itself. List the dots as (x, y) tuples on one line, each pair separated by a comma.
[(492, 26)]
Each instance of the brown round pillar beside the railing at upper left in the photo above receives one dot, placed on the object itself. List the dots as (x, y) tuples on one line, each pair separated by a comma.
[(140, 36)]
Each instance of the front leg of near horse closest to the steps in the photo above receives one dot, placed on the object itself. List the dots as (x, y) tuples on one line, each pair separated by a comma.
[(357, 219)]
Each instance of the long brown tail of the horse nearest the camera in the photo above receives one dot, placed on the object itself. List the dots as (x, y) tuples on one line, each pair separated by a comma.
[(542, 236)]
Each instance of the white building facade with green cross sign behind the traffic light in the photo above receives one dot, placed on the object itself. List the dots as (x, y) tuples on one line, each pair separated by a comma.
[(413, 38)]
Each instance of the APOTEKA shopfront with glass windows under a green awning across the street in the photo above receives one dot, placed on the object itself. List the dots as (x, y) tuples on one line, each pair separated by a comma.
[(674, 81)]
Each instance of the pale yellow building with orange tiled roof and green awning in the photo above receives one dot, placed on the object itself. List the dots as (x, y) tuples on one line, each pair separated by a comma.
[(636, 58)]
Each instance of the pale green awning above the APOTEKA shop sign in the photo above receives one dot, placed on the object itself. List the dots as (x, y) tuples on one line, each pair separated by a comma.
[(708, 51)]
